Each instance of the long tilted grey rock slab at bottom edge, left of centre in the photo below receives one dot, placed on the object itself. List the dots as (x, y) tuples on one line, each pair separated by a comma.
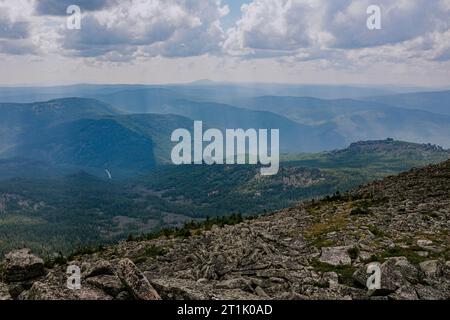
[(135, 281)]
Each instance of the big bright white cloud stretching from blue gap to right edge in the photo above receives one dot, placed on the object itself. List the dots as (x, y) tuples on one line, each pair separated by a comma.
[(292, 25)]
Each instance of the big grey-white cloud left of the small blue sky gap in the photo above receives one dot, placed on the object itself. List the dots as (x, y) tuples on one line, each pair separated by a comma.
[(169, 28)]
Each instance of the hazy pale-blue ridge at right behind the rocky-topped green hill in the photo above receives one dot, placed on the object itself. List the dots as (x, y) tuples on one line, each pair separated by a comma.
[(360, 120)]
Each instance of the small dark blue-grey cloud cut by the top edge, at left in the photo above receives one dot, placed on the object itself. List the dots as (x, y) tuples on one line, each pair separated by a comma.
[(59, 7)]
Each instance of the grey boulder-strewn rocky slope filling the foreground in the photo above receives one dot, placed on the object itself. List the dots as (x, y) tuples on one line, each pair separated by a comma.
[(318, 250)]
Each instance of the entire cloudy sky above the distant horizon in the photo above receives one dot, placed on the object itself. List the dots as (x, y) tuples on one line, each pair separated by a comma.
[(166, 41)]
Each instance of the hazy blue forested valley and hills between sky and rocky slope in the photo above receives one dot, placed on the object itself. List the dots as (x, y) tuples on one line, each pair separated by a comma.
[(93, 165)]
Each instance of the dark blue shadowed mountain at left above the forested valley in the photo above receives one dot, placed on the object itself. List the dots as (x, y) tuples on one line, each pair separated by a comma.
[(85, 133)]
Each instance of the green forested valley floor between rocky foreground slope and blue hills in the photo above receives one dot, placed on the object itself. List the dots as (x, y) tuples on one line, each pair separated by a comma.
[(63, 213)]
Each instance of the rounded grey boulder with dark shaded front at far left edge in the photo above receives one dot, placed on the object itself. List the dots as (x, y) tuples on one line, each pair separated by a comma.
[(21, 265)]
